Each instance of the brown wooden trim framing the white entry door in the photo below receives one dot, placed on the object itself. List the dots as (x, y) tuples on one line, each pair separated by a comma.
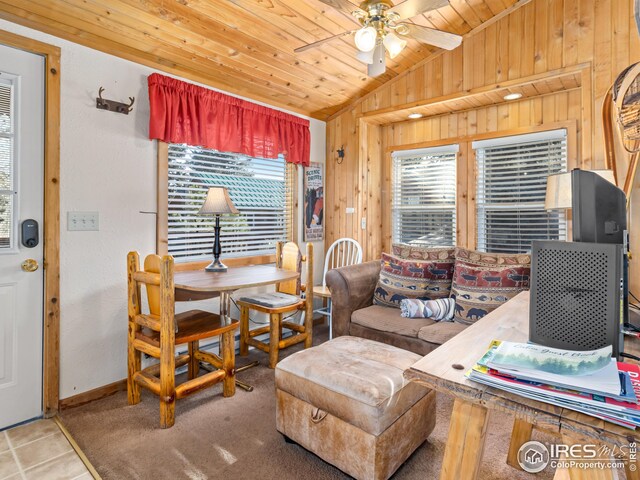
[(51, 227)]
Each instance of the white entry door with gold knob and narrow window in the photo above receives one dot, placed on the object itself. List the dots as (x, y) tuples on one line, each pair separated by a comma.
[(21, 198)]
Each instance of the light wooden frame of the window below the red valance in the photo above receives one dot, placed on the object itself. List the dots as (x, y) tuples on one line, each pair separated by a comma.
[(162, 219)]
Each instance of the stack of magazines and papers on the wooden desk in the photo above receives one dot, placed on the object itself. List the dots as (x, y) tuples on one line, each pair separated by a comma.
[(590, 382)]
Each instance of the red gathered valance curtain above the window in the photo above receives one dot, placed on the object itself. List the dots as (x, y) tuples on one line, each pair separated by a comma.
[(185, 113)]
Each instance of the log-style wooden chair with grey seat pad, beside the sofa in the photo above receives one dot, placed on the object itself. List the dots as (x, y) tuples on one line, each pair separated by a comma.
[(286, 300)]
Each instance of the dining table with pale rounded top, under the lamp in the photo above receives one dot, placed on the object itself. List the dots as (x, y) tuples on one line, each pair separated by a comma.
[(191, 285)]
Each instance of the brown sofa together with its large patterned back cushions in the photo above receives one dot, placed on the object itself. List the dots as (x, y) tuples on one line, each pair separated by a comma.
[(363, 297)]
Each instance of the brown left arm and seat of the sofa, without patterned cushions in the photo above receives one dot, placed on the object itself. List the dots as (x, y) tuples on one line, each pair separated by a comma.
[(353, 313)]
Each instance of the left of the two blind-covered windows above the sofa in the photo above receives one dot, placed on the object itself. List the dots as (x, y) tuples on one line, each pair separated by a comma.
[(424, 196)]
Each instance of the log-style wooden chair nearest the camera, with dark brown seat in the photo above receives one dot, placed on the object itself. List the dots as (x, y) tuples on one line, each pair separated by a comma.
[(158, 332)]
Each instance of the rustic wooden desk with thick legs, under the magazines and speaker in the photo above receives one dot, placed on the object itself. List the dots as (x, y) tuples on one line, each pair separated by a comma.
[(444, 370)]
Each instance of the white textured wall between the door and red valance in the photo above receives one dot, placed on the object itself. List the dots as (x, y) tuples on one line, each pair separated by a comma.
[(108, 165)]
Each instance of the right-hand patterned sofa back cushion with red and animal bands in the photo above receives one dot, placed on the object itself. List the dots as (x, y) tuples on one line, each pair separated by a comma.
[(484, 281)]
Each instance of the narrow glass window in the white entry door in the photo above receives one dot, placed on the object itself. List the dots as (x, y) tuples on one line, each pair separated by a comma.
[(7, 187)]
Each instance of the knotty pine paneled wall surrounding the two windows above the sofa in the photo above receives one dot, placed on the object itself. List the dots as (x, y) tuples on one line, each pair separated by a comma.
[(598, 37)]
